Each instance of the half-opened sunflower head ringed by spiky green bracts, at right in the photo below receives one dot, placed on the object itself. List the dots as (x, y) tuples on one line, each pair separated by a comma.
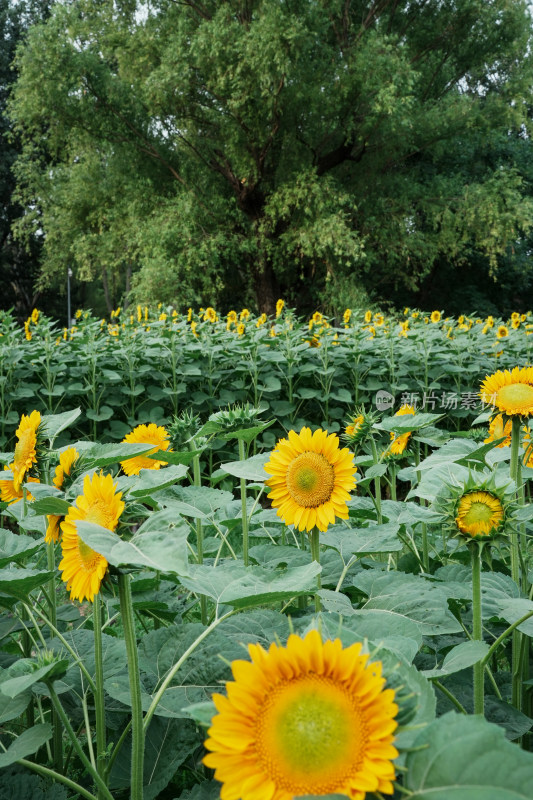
[(479, 505)]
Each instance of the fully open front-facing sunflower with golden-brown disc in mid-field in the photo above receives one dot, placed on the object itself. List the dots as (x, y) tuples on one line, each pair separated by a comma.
[(311, 479)]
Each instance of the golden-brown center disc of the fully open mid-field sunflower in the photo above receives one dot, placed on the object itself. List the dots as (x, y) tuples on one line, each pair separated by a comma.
[(310, 479)]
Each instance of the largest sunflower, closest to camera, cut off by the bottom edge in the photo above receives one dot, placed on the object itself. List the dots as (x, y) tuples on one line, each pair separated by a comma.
[(311, 718)]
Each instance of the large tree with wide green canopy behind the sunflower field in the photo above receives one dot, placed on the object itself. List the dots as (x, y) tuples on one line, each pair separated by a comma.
[(288, 146)]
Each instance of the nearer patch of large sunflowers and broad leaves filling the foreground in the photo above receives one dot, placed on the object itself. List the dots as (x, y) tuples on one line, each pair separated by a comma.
[(328, 615)]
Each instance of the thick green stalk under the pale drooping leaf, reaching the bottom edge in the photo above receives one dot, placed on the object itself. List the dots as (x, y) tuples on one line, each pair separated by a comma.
[(137, 747)]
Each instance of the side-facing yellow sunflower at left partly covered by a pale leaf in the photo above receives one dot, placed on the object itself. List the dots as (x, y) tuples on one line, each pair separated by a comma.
[(84, 569)]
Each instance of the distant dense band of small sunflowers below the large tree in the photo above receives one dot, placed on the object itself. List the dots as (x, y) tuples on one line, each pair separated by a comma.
[(300, 372)]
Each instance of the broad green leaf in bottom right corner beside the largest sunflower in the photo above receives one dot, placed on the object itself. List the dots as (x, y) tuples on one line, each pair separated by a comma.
[(462, 757)]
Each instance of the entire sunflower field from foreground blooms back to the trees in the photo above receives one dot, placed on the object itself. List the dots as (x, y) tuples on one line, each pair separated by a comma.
[(262, 558)]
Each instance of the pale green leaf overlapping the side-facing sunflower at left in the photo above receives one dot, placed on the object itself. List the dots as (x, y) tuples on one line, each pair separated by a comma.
[(165, 551)]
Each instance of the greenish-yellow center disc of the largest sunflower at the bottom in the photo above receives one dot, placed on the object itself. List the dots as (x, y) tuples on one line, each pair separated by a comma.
[(310, 735)]
